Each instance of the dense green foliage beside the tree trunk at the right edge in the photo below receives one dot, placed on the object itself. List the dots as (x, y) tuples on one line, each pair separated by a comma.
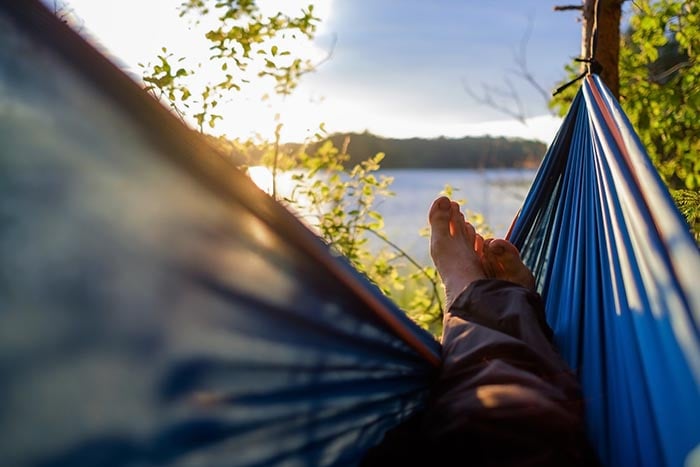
[(660, 92)]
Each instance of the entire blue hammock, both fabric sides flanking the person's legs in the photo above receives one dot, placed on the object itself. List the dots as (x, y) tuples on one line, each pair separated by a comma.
[(158, 309)]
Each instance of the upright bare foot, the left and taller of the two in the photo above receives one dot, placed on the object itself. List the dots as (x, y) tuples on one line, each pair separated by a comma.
[(452, 247)]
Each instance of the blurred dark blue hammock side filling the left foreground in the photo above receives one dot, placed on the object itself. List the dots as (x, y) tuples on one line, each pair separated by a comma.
[(156, 308)]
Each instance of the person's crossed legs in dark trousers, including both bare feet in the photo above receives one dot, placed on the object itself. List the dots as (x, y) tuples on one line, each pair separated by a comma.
[(504, 395)]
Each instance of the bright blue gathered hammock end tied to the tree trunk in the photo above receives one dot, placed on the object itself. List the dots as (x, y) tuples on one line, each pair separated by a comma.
[(620, 274)]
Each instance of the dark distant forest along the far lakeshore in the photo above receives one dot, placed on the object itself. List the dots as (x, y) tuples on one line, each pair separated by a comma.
[(467, 152)]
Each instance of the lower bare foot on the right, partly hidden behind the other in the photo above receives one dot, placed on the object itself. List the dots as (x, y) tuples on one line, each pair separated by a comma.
[(501, 260)]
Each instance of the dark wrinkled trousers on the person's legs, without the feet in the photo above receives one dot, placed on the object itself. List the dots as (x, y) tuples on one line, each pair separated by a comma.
[(504, 395)]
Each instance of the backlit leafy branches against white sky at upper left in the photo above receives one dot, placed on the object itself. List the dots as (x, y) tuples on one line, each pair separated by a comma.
[(246, 44)]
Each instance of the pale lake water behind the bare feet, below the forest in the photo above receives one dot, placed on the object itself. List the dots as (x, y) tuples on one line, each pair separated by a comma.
[(498, 194)]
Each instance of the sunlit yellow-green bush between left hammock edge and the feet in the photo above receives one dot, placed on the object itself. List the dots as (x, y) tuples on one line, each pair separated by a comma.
[(338, 200)]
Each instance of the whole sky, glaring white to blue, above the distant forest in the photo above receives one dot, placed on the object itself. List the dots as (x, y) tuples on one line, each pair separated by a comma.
[(396, 68)]
